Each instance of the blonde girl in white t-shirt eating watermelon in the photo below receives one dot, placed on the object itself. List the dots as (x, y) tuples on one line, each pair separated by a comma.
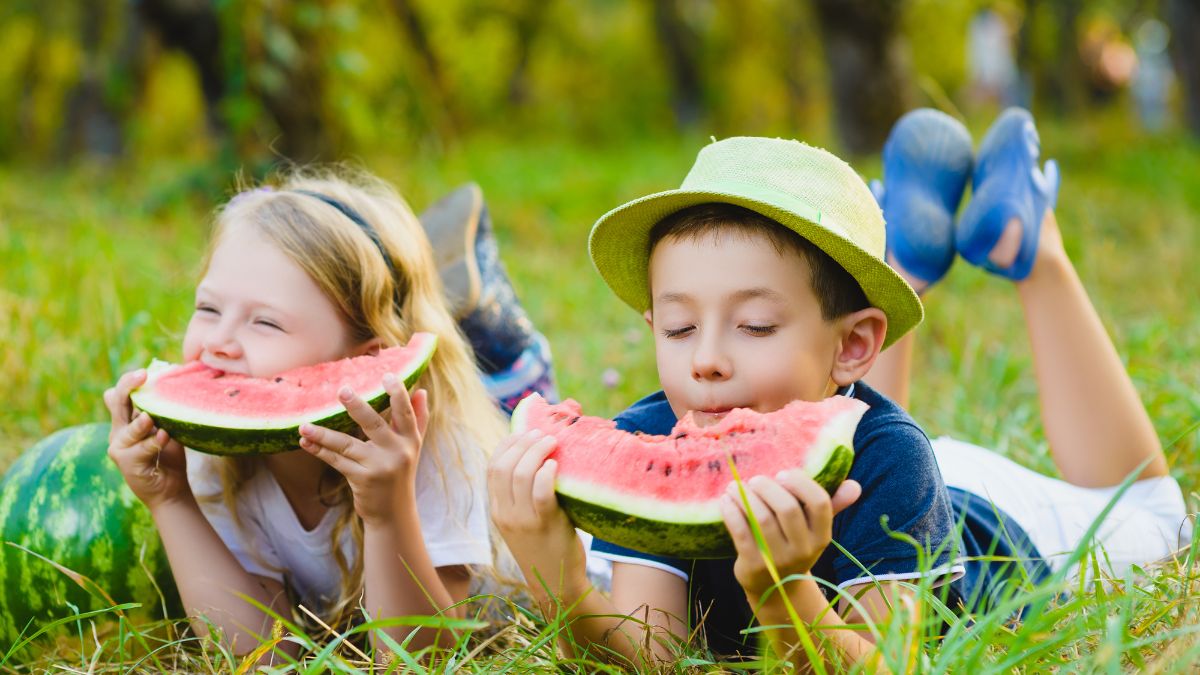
[(320, 270)]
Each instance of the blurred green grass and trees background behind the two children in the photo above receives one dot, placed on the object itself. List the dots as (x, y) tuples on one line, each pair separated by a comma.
[(123, 124)]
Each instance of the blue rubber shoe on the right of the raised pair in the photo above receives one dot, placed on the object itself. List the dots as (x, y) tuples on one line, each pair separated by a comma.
[(1009, 184)]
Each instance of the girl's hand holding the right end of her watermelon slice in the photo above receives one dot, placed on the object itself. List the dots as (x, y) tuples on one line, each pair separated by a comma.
[(381, 470)]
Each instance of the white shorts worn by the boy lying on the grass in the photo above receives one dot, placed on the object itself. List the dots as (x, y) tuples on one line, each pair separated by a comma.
[(1149, 523)]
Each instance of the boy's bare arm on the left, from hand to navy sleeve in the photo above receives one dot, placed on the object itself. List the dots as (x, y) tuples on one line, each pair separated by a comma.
[(634, 623)]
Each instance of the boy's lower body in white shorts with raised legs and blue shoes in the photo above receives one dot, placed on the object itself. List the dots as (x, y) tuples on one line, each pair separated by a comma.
[(1096, 426)]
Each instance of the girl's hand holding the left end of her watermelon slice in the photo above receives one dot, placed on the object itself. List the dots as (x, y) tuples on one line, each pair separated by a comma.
[(153, 464)]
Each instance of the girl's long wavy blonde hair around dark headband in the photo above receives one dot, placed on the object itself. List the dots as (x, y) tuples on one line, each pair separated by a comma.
[(375, 302)]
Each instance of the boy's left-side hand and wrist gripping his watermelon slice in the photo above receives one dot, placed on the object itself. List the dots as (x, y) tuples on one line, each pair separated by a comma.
[(525, 510)]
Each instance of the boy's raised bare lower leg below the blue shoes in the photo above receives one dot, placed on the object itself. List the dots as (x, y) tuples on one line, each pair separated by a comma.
[(1096, 426)]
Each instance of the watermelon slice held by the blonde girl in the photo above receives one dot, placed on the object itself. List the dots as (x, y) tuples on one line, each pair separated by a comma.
[(233, 415)]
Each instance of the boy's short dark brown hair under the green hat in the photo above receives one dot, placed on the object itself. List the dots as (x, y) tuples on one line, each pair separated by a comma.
[(837, 291)]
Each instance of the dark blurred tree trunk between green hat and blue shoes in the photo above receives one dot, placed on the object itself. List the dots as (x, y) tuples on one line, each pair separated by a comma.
[(868, 75)]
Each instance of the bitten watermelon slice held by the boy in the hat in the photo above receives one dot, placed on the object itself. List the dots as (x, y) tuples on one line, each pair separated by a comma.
[(661, 494)]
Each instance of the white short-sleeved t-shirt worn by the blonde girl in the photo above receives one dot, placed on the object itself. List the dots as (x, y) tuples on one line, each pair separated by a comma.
[(273, 543)]
